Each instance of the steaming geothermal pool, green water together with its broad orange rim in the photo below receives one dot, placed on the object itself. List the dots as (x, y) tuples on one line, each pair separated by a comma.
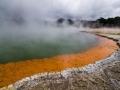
[(25, 52)]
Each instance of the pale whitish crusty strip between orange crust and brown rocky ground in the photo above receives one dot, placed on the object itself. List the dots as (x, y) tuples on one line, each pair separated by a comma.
[(65, 74)]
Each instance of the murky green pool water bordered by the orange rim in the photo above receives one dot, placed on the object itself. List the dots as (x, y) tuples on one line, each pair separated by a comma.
[(15, 48)]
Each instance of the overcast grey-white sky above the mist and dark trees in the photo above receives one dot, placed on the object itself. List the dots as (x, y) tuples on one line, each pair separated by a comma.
[(37, 9)]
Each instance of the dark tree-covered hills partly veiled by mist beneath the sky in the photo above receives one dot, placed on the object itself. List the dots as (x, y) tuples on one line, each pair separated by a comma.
[(101, 22)]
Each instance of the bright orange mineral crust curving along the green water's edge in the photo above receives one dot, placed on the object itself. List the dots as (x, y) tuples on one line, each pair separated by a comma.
[(11, 72)]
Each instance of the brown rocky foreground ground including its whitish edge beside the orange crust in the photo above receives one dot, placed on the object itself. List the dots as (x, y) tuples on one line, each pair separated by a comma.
[(103, 75)]
